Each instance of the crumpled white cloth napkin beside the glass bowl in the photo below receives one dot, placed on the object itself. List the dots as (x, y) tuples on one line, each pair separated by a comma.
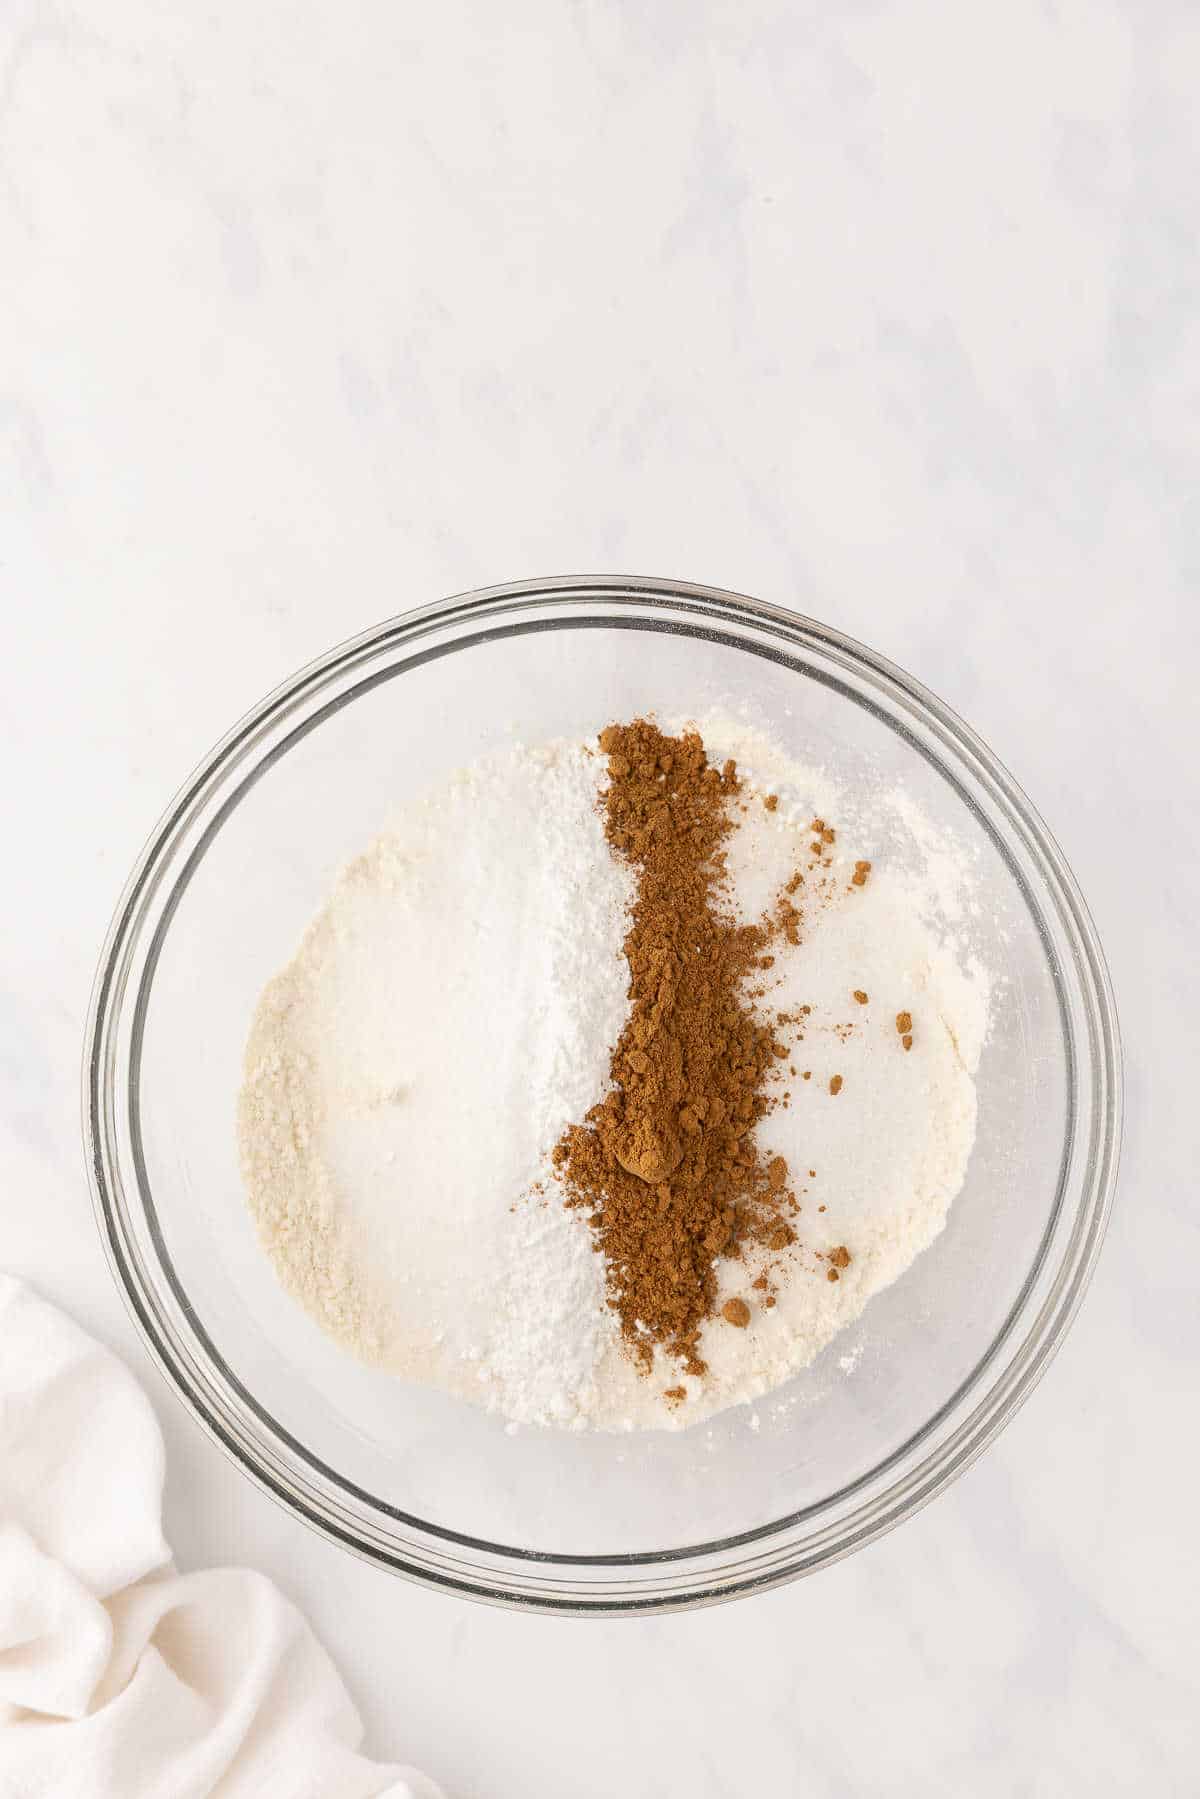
[(120, 1678)]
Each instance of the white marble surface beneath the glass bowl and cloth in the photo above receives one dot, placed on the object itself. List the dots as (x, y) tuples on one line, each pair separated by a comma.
[(886, 312)]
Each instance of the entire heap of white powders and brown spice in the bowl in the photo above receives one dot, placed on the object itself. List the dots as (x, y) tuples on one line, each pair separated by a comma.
[(487, 983)]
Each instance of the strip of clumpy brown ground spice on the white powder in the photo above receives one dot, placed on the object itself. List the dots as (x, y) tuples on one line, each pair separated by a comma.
[(667, 1163)]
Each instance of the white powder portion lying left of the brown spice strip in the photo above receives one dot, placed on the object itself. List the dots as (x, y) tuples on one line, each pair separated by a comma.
[(447, 1014)]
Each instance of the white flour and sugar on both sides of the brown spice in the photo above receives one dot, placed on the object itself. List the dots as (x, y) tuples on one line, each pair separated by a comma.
[(454, 1008)]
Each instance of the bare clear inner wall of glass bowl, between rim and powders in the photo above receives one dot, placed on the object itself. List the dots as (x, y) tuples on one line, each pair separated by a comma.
[(238, 908)]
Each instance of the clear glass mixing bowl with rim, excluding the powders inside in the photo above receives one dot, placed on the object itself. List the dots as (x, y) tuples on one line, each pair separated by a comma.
[(415, 1480)]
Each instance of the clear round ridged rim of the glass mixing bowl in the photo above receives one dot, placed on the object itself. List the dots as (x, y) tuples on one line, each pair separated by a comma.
[(679, 1579)]
